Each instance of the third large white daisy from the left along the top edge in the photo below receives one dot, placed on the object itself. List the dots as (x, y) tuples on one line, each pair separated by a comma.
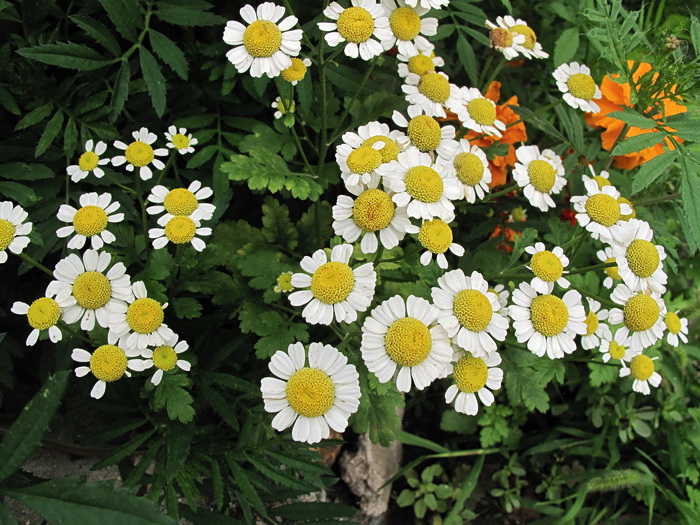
[(407, 27)]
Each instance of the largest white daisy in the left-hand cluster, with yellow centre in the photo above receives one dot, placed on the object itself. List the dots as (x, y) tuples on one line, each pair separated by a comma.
[(97, 294)]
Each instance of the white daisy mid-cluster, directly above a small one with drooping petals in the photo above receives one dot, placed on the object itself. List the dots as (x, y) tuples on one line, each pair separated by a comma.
[(425, 188)]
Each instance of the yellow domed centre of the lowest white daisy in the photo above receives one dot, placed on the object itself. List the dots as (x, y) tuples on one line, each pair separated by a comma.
[(310, 392)]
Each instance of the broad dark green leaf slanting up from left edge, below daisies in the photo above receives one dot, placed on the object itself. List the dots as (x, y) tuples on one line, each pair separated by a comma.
[(24, 435)]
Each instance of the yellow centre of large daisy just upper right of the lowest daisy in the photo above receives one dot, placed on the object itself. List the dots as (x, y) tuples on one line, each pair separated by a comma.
[(408, 341)]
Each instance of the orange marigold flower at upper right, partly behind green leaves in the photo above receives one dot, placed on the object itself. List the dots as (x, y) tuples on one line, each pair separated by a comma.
[(615, 96)]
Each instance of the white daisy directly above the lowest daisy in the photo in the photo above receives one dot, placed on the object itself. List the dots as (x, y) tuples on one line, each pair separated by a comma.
[(335, 290)]
